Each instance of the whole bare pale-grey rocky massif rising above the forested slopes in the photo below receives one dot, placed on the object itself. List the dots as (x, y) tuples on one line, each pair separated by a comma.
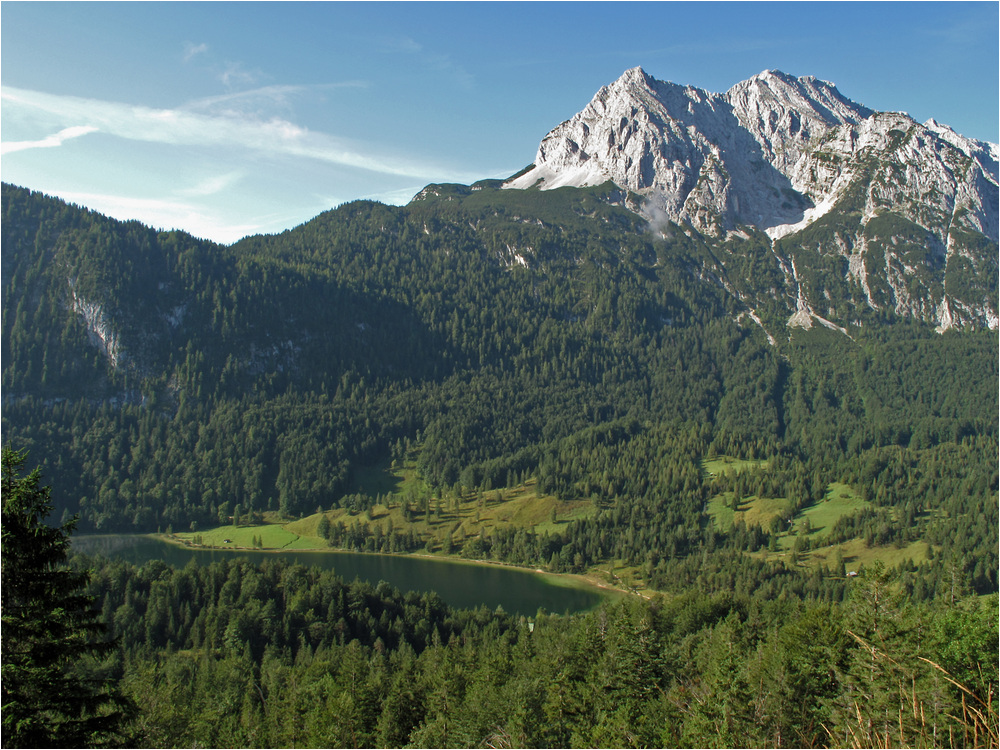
[(782, 154)]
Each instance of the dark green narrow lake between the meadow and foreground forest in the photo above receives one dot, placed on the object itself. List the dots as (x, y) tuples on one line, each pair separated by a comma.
[(460, 585)]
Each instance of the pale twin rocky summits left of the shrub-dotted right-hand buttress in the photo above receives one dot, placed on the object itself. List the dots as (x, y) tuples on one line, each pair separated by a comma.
[(685, 149)]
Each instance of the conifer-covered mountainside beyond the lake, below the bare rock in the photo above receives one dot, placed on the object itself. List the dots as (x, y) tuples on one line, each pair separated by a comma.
[(501, 337)]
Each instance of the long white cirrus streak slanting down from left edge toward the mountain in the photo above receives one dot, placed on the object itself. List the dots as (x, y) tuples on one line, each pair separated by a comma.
[(184, 127)]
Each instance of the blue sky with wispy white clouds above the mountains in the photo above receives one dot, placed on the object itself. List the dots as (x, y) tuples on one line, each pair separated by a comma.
[(228, 119)]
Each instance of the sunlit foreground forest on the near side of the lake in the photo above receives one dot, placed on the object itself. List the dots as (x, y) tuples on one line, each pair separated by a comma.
[(238, 655)]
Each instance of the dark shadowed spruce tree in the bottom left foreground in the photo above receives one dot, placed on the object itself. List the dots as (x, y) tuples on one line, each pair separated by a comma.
[(50, 629)]
